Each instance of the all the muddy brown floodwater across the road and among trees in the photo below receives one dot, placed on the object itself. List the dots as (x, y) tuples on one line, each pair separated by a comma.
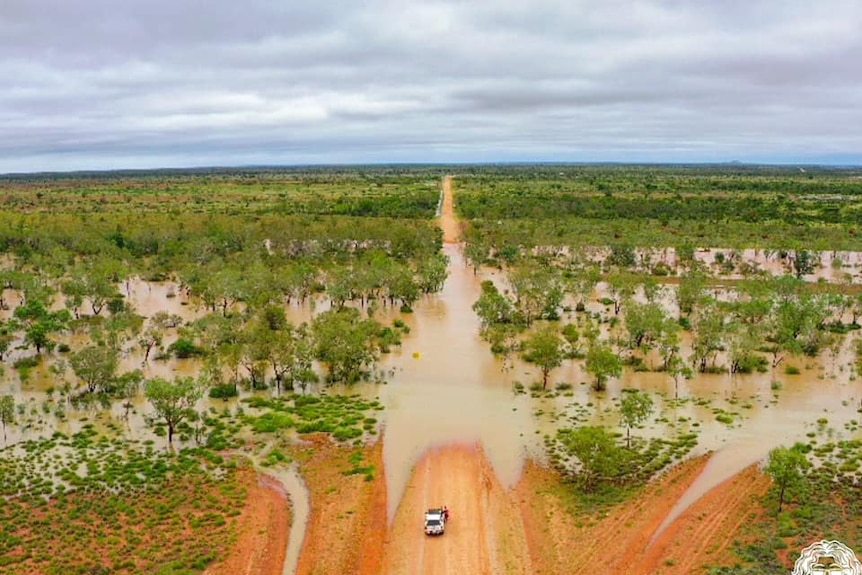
[(446, 386)]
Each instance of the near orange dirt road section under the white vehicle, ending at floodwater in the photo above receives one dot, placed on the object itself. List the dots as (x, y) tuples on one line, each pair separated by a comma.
[(485, 533)]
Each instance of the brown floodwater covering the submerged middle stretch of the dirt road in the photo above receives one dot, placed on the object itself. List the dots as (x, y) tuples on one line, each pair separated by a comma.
[(448, 387)]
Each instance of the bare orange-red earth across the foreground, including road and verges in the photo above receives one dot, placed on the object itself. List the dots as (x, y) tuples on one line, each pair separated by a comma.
[(526, 530)]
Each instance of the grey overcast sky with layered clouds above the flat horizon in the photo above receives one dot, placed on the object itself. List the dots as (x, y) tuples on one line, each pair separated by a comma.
[(103, 84)]
